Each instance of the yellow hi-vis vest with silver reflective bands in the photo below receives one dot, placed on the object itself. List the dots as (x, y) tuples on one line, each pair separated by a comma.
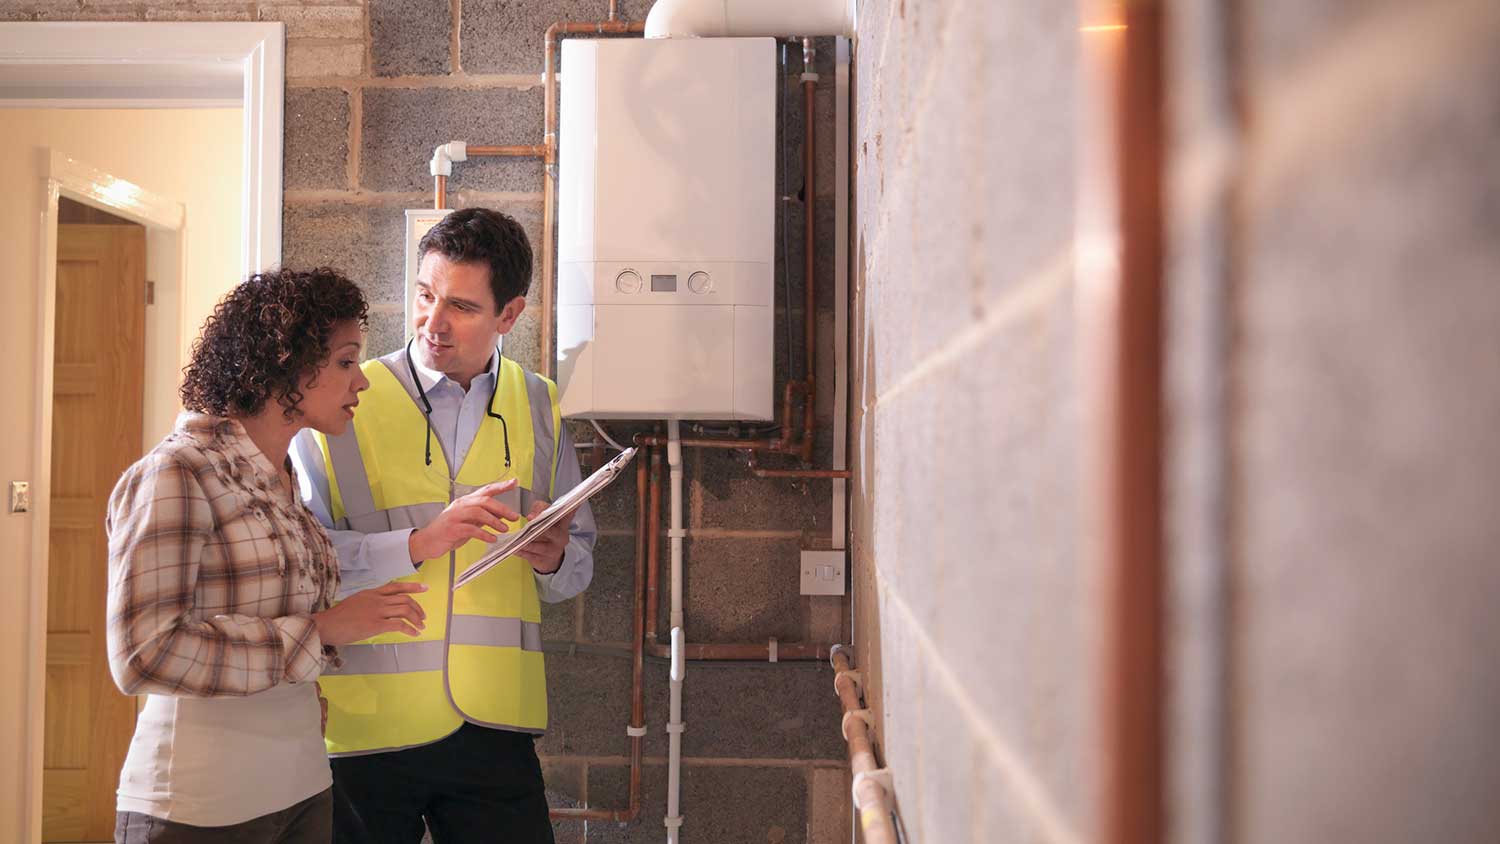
[(479, 657)]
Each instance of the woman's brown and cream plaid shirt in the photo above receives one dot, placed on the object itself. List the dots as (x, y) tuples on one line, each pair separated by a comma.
[(215, 570)]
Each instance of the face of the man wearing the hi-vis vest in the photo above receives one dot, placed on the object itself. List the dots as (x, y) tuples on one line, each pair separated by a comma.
[(455, 317)]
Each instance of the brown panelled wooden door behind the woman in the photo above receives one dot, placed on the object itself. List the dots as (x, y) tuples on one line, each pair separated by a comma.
[(97, 434)]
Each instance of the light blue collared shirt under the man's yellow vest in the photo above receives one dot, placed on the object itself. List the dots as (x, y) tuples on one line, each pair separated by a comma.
[(371, 560)]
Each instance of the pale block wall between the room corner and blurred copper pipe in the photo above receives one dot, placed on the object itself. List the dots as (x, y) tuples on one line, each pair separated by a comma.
[(973, 602)]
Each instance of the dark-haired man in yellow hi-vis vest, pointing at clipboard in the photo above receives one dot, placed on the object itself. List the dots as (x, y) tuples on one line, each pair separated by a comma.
[(452, 441)]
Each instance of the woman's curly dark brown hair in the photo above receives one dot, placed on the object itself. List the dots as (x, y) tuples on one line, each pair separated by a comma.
[(265, 338)]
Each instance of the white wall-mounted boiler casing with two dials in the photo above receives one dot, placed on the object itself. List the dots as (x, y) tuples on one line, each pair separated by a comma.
[(667, 208)]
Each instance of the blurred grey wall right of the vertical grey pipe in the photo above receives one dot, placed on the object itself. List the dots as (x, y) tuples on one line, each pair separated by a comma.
[(1367, 320)]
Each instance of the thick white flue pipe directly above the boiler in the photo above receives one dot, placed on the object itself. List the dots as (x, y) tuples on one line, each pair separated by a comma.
[(751, 19)]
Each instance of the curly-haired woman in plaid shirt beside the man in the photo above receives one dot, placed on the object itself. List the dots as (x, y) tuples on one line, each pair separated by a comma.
[(223, 584)]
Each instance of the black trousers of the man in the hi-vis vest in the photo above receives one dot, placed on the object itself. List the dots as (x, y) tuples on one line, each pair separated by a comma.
[(475, 786)]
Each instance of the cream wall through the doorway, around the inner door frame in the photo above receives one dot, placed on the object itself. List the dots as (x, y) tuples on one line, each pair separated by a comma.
[(193, 157)]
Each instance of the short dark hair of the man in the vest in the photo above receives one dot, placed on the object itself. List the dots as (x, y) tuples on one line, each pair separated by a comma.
[(485, 236)]
